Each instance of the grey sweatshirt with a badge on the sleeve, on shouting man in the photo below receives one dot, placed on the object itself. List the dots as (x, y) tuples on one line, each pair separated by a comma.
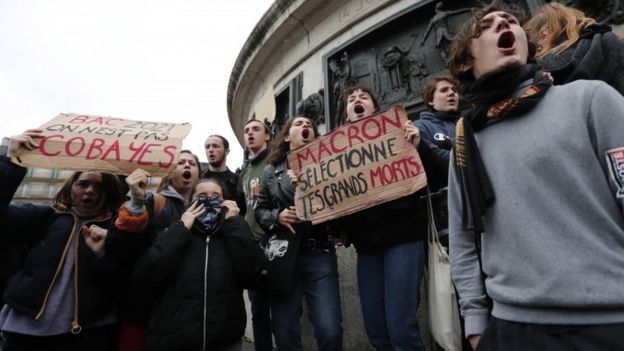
[(553, 246)]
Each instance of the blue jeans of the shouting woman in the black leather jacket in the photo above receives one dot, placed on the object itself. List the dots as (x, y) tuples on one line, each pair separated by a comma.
[(317, 273)]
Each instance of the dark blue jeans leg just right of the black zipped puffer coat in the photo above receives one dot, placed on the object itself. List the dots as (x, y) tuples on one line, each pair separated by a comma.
[(261, 320)]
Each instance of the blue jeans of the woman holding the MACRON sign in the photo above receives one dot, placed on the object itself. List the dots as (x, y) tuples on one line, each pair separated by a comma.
[(389, 285)]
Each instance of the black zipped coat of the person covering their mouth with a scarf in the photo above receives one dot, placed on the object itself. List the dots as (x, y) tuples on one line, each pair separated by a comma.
[(201, 279)]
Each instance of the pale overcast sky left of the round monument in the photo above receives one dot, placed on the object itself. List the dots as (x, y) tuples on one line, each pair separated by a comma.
[(155, 60)]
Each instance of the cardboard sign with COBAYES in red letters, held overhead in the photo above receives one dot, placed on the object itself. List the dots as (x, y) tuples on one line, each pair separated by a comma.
[(106, 144)]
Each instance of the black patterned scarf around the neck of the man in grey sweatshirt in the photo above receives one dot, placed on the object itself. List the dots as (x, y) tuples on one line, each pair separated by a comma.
[(491, 98)]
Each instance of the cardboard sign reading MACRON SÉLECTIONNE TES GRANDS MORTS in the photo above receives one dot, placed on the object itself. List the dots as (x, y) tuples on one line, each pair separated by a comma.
[(356, 166)]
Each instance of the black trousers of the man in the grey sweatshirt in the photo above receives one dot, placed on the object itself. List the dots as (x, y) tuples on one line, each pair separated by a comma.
[(501, 335)]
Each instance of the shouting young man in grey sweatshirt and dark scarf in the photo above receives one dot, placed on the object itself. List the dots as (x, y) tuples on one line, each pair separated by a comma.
[(537, 170)]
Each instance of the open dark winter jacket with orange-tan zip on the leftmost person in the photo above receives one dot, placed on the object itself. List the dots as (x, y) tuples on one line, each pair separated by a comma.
[(48, 232)]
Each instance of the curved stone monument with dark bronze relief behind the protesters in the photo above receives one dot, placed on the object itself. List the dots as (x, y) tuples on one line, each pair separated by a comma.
[(304, 54)]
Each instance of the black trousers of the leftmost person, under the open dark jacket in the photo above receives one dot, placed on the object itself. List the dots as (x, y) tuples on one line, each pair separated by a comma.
[(93, 339)]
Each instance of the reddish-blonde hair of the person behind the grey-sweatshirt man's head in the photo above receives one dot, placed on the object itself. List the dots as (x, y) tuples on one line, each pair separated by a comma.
[(563, 25)]
